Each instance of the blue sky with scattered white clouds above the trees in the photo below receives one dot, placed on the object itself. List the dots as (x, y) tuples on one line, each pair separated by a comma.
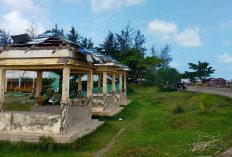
[(197, 30)]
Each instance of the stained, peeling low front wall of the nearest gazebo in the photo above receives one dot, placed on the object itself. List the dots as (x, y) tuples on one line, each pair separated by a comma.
[(29, 122)]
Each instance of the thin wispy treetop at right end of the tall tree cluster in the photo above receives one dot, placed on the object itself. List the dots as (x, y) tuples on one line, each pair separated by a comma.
[(164, 55)]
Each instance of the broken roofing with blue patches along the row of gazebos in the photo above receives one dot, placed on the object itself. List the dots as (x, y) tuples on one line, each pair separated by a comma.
[(51, 39)]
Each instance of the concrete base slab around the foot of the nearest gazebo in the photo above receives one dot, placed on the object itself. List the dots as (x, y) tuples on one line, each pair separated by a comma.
[(74, 132)]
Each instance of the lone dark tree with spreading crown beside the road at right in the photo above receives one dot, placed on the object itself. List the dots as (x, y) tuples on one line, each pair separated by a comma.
[(201, 70)]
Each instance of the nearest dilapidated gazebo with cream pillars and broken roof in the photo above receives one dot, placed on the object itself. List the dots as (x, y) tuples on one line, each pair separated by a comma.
[(47, 52)]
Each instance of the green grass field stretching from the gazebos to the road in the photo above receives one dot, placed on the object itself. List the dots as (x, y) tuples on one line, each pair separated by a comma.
[(150, 129)]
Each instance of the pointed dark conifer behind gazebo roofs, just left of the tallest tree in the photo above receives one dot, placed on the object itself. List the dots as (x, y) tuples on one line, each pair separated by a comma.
[(109, 46)]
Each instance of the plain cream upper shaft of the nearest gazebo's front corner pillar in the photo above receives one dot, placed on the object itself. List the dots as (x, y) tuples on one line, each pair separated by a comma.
[(65, 85)]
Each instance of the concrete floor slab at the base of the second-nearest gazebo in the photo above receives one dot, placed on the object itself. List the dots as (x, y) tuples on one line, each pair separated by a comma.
[(110, 111)]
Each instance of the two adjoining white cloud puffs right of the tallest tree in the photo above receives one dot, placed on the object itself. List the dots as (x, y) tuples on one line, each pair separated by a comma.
[(164, 30)]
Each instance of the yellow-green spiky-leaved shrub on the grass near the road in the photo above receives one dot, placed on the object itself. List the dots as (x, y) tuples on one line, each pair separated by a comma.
[(205, 102)]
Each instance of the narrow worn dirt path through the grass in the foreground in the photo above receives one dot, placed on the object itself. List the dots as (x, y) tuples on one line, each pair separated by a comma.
[(110, 144)]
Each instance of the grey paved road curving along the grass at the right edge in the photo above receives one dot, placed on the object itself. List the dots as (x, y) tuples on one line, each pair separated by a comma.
[(211, 90)]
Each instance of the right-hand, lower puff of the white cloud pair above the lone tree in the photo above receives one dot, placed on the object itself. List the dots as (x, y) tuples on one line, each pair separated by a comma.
[(189, 37)]
